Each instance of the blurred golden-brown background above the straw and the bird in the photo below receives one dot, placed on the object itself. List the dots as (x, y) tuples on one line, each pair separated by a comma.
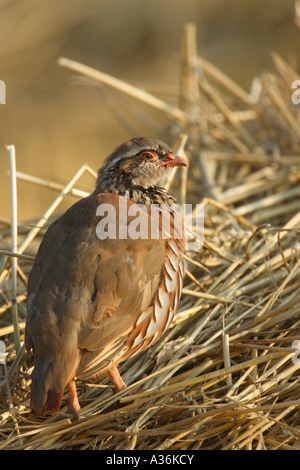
[(57, 122)]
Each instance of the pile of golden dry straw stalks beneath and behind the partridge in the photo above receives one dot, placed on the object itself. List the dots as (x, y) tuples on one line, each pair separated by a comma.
[(226, 374)]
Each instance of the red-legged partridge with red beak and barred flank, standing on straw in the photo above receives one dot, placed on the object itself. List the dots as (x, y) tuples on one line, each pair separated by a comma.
[(94, 301)]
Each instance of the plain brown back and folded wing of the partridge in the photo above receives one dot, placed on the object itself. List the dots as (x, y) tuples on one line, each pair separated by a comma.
[(85, 293)]
